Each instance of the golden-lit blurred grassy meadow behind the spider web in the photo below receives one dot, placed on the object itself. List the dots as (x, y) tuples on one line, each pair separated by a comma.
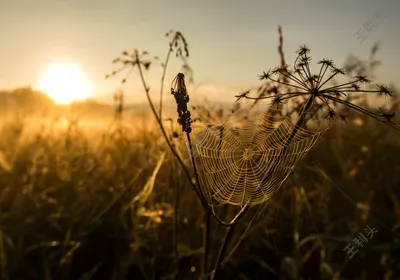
[(114, 203)]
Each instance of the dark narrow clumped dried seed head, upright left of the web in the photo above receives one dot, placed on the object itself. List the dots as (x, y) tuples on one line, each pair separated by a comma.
[(178, 90)]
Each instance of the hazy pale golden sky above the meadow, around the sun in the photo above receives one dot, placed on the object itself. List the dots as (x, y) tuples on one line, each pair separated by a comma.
[(230, 42)]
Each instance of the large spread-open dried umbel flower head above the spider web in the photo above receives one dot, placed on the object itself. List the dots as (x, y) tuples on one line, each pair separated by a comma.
[(302, 83)]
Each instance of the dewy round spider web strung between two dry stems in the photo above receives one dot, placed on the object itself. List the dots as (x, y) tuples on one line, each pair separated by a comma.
[(248, 157)]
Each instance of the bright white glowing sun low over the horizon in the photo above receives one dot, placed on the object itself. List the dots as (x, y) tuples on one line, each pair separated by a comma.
[(65, 82)]
